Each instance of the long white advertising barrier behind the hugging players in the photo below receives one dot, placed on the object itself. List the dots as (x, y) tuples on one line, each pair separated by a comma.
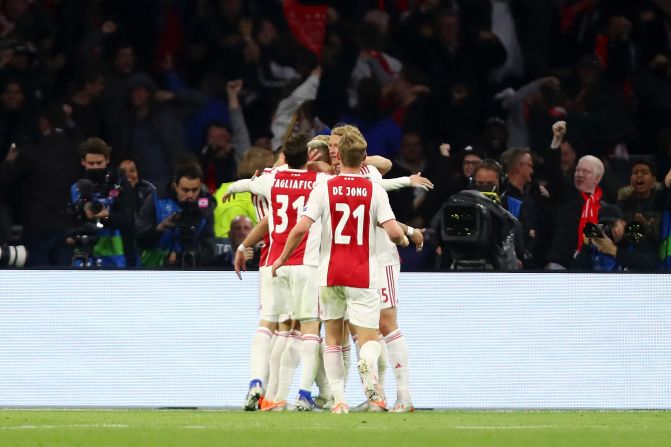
[(477, 340)]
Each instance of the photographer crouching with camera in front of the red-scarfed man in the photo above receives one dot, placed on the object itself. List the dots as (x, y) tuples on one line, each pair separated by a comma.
[(613, 245)]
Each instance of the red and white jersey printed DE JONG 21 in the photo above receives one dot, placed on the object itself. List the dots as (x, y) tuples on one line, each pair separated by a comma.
[(349, 207)]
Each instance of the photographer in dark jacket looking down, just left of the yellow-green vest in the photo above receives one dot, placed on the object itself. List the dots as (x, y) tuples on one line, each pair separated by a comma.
[(175, 226)]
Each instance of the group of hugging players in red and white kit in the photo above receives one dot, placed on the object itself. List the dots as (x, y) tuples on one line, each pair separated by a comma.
[(329, 259)]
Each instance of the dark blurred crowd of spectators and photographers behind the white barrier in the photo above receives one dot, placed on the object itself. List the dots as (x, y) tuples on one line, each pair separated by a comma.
[(561, 108)]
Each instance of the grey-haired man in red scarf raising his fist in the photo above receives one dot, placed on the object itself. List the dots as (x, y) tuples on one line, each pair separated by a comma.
[(577, 205)]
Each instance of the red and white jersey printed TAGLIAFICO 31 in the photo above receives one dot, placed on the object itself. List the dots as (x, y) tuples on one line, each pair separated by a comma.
[(287, 192)]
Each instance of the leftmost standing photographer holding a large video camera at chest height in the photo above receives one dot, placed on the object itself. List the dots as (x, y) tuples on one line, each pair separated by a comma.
[(102, 212)]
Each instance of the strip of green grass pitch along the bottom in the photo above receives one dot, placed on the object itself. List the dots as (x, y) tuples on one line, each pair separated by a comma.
[(423, 428)]
